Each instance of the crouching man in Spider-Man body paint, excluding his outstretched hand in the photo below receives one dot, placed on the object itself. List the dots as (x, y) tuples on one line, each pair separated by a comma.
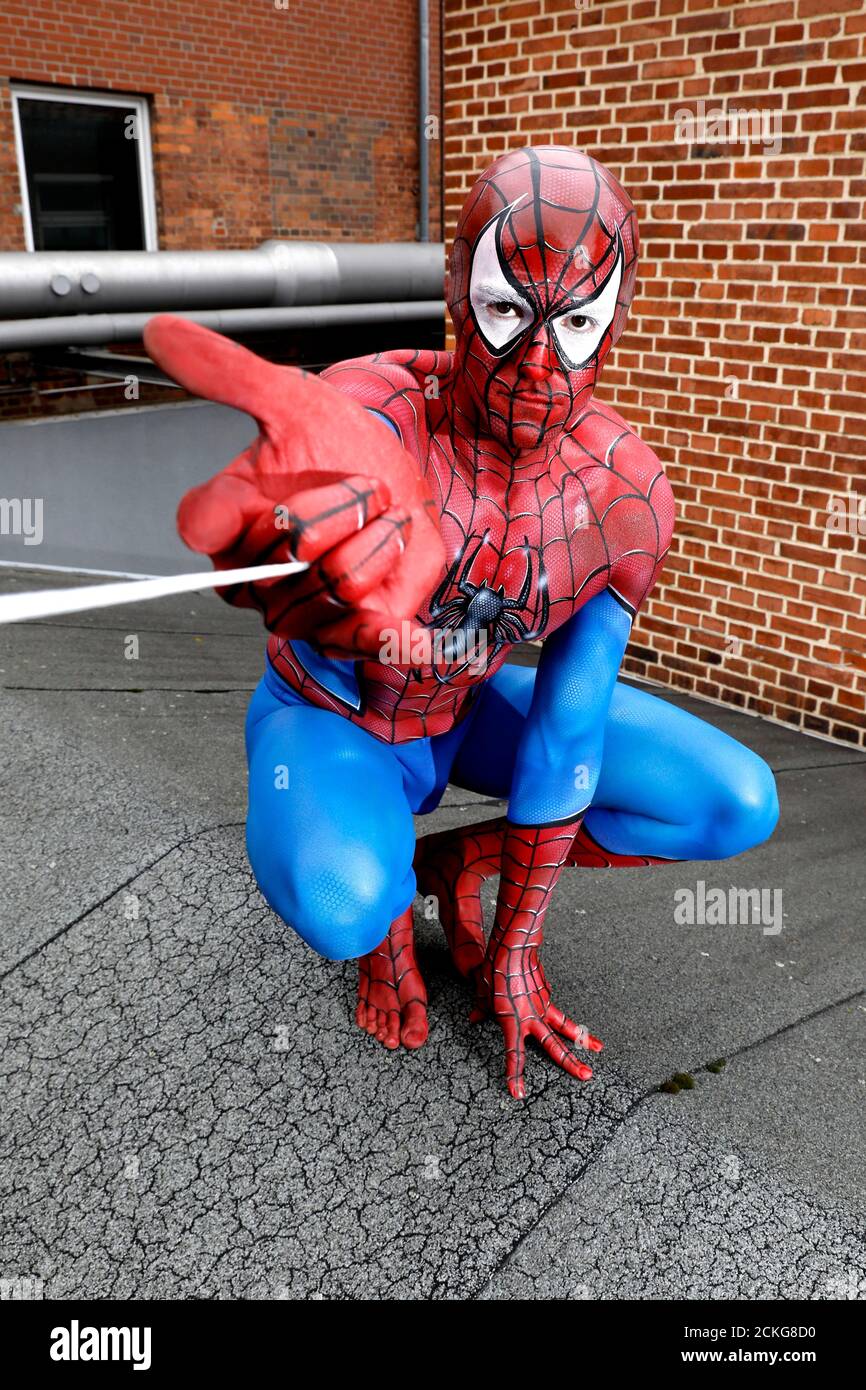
[(555, 521)]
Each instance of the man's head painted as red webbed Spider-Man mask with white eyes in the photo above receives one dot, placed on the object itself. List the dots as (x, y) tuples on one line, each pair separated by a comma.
[(541, 279)]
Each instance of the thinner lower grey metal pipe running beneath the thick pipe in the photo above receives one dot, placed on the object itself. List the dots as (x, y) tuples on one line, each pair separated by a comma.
[(23, 334)]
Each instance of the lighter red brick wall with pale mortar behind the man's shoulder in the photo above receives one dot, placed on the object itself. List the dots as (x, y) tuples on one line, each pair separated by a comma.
[(744, 365)]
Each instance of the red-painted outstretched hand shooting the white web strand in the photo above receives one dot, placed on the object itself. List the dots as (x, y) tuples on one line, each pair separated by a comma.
[(325, 483)]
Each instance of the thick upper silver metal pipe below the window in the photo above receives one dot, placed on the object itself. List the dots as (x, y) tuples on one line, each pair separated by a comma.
[(42, 284)]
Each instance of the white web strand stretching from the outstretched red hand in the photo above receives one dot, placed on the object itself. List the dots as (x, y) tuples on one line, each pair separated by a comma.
[(20, 608)]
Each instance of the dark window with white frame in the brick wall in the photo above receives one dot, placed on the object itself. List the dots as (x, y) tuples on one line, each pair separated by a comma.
[(83, 177)]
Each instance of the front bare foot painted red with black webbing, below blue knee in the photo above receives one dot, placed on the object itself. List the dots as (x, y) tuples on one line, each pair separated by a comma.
[(391, 993)]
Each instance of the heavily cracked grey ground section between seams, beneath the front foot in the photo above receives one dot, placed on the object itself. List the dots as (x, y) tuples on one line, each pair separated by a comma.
[(273, 1143)]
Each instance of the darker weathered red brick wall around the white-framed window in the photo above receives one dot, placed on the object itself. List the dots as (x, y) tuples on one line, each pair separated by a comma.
[(268, 122)]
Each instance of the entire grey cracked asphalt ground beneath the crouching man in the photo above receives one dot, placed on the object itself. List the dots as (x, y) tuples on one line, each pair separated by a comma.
[(190, 1111)]
